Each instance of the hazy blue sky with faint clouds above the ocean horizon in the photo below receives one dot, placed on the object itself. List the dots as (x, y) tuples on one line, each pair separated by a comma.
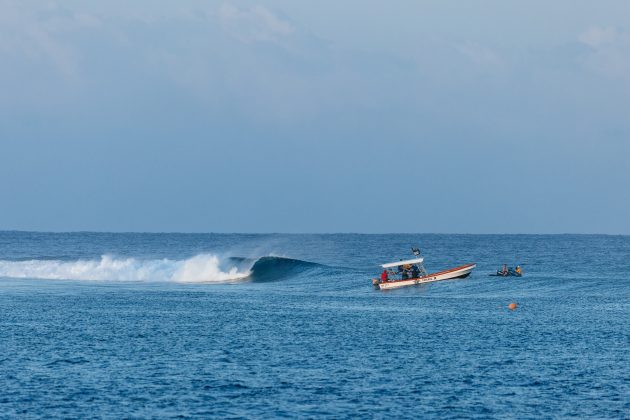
[(282, 116)]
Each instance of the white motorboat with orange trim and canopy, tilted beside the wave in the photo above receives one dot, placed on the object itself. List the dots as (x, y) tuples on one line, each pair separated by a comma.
[(412, 272)]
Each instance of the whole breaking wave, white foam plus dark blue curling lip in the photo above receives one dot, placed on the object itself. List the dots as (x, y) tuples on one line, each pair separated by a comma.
[(204, 268)]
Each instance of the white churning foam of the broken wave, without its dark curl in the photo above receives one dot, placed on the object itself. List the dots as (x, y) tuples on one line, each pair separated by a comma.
[(198, 269)]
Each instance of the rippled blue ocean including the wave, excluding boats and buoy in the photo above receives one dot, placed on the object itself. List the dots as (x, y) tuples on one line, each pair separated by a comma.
[(160, 325)]
